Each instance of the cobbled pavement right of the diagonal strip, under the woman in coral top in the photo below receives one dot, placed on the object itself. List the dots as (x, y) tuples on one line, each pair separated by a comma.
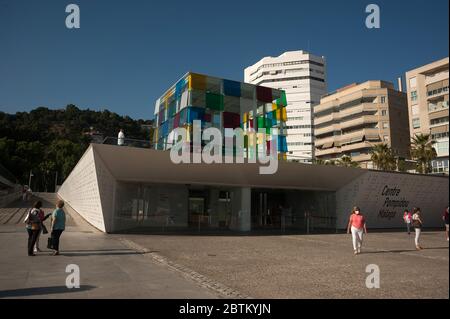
[(312, 266)]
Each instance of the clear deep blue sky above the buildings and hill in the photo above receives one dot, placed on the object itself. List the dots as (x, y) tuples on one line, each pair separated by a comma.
[(126, 53)]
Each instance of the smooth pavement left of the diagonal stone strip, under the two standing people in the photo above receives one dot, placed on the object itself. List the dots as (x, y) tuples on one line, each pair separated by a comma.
[(108, 268)]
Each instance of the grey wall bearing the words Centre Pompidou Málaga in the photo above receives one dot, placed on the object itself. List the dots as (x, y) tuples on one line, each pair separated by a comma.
[(386, 210)]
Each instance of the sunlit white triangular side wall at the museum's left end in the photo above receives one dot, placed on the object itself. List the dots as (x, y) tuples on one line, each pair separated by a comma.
[(81, 191)]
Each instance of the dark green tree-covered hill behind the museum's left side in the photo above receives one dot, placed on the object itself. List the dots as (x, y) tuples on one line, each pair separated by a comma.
[(50, 142)]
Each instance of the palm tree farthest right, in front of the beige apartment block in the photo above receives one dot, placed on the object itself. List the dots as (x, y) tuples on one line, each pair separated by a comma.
[(423, 152)]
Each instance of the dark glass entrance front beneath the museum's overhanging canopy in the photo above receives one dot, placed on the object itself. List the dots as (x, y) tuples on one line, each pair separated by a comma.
[(165, 208)]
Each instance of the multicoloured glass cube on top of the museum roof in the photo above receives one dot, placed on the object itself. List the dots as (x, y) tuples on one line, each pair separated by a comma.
[(222, 104)]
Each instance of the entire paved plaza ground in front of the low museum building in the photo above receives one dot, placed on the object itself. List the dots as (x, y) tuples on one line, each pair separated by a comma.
[(220, 266)]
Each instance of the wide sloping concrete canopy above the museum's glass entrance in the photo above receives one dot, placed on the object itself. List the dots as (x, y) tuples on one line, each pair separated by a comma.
[(145, 165)]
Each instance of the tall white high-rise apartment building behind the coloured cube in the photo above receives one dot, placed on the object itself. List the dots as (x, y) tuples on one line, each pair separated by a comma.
[(303, 77)]
